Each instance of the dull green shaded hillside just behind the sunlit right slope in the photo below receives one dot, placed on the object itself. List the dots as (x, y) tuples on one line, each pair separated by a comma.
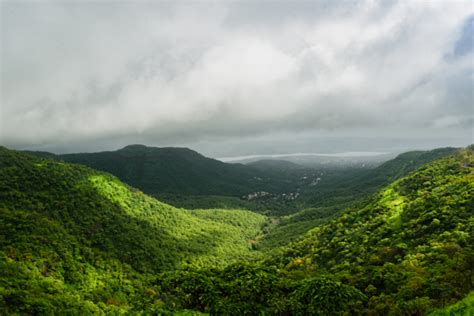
[(341, 189)]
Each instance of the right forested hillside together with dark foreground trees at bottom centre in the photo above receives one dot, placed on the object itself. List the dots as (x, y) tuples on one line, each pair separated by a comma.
[(408, 251)]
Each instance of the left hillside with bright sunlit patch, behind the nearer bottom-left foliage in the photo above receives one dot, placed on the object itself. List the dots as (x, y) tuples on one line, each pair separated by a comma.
[(106, 214)]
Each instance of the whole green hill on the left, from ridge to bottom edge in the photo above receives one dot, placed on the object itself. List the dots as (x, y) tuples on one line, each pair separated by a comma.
[(69, 233)]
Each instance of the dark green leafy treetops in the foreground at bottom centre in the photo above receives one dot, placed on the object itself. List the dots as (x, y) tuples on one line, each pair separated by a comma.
[(254, 289)]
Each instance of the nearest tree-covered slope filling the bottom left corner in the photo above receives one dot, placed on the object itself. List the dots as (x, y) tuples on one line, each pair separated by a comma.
[(44, 269)]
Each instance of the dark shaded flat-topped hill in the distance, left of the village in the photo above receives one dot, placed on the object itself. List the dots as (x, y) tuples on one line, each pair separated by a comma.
[(177, 171)]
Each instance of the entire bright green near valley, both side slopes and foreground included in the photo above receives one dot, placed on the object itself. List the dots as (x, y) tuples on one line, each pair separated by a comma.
[(74, 240)]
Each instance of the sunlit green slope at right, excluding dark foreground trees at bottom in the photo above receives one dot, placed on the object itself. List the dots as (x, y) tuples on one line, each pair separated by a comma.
[(410, 248)]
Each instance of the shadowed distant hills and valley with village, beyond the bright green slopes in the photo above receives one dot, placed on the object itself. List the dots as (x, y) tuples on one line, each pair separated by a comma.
[(185, 178)]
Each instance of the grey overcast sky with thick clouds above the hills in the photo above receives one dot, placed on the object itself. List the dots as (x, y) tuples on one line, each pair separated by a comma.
[(237, 77)]
